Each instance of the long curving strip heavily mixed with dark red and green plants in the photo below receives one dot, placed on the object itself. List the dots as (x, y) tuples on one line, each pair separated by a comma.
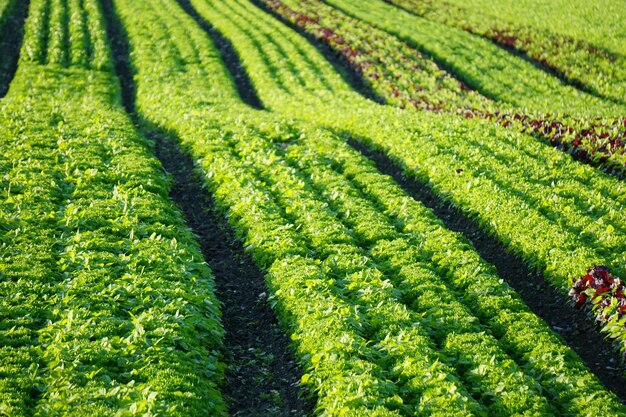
[(405, 77)]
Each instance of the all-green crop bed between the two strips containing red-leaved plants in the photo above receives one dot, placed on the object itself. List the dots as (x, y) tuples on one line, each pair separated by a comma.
[(482, 65)]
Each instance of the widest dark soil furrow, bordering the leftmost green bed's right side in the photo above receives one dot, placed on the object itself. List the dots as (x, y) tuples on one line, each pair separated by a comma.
[(262, 376)]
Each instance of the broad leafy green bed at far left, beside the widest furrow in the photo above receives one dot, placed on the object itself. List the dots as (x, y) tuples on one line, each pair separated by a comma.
[(106, 306)]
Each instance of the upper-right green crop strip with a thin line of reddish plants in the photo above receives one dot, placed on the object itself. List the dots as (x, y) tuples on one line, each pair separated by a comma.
[(579, 61)]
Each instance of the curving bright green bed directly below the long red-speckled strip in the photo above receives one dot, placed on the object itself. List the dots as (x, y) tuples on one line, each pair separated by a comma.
[(560, 216)]
